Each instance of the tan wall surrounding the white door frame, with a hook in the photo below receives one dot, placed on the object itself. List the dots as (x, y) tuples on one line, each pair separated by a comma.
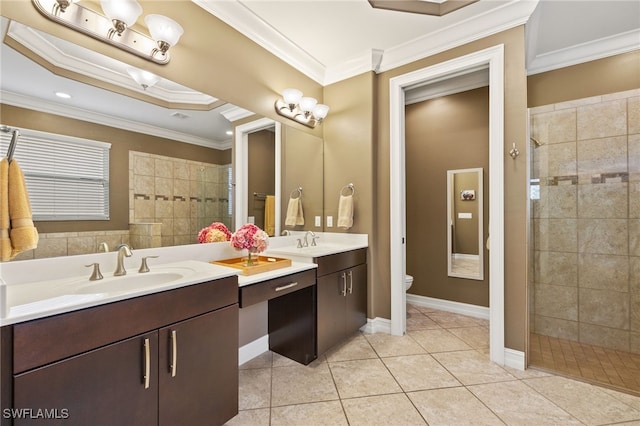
[(515, 188)]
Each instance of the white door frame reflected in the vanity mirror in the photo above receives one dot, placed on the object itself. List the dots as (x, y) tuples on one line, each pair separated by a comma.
[(241, 165)]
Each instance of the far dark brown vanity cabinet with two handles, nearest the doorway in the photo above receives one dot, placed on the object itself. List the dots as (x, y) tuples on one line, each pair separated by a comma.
[(342, 296)]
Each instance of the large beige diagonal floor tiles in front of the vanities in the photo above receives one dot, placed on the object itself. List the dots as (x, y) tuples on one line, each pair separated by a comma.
[(438, 374)]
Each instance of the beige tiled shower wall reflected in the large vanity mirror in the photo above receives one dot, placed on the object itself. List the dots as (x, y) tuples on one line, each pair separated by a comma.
[(182, 196)]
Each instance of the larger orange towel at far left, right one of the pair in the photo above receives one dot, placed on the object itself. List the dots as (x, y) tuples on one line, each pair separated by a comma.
[(23, 234)]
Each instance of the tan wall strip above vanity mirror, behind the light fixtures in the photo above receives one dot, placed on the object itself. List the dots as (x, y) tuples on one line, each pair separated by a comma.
[(210, 57)]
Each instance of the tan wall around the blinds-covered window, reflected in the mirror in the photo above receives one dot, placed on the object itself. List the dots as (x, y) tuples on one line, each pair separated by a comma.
[(122, 141)]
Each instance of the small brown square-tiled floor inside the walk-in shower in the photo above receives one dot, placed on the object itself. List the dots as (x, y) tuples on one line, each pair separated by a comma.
[(608, 367)]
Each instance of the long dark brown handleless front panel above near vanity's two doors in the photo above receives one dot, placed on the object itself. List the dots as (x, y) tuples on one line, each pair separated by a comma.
[(50, 339)]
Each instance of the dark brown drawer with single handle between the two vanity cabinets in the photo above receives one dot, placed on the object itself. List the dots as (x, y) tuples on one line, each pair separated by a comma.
[(265, 290)]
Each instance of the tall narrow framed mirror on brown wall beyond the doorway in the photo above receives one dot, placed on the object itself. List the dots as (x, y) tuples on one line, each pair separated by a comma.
[(465, 251)]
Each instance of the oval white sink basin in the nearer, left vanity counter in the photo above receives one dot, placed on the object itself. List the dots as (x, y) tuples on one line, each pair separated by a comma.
[(128, 283)]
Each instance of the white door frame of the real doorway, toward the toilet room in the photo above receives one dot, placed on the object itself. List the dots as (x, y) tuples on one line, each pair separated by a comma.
[(492, 58)]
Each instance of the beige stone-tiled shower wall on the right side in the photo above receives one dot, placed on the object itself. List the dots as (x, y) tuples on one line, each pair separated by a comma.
[(585, 191)]
